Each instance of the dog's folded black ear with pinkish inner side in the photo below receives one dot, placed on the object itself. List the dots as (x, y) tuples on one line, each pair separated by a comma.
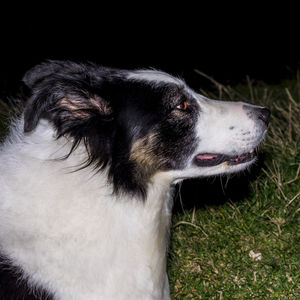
[(65, 93)]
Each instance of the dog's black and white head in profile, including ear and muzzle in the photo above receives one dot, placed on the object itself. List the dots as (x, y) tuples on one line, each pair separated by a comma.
[(141, 123)]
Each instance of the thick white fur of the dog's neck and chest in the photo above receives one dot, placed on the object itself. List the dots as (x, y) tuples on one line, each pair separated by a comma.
[(77, 237)]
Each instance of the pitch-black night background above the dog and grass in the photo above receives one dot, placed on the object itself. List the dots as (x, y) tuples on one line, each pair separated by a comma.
[(227, 45)]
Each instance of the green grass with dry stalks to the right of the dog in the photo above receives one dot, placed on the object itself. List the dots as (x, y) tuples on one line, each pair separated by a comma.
[(247, 248)]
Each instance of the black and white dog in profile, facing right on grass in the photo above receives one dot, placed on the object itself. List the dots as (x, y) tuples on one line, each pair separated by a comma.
[(87, 174)]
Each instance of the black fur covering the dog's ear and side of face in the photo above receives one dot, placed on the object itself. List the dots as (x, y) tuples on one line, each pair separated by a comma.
[(109, 113)]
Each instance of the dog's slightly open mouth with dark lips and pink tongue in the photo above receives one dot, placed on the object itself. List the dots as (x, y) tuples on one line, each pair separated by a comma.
[(214, 159)]
